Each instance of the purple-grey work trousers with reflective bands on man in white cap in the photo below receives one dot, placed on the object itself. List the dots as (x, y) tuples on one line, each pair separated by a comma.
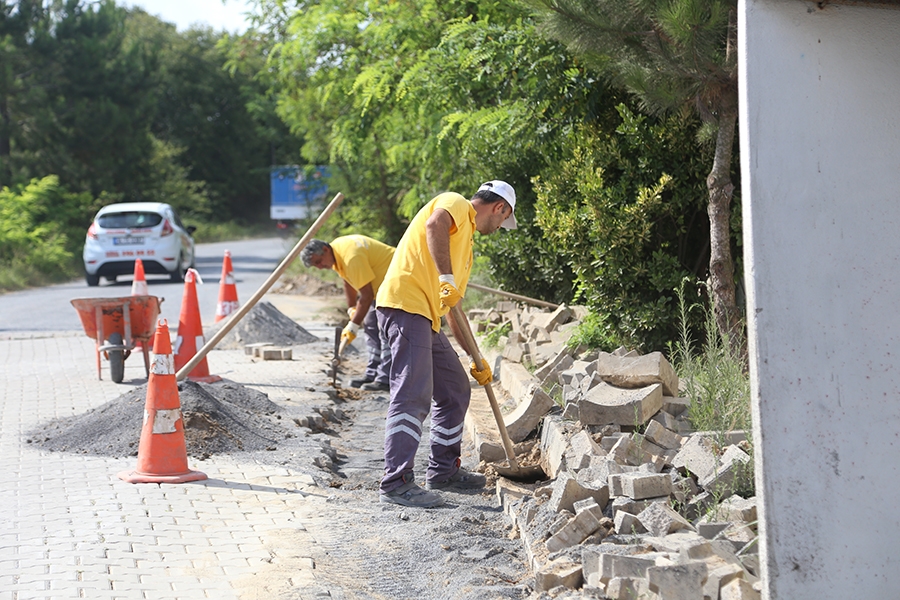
[(425, 374)]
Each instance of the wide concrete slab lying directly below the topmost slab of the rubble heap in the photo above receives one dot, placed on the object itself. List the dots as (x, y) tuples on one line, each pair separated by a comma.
[(607, 404)]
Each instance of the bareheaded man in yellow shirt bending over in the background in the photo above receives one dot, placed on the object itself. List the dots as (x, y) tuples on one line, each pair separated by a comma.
[(361, 262)]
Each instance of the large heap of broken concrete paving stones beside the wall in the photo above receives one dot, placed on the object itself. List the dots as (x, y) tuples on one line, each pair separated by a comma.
[(638, 505)]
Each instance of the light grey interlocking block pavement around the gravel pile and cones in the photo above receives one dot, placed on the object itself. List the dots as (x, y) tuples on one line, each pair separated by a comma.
[(70, 528)]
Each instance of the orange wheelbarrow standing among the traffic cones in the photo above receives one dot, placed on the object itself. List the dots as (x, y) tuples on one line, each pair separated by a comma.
[(116, 325)]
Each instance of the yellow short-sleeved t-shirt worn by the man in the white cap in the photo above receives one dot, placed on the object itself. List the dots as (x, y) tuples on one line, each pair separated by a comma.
[(411, 283)]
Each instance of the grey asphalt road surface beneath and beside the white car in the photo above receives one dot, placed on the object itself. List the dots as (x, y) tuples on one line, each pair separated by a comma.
[(50, 309)]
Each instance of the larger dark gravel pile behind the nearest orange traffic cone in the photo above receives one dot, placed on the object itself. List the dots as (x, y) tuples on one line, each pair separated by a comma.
[(219, 418)]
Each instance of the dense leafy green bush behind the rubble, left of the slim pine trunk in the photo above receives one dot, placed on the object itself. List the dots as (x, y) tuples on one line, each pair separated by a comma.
[(626, 212)]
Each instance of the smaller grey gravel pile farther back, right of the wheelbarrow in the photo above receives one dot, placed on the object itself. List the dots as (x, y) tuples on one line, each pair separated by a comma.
[(263, 324)]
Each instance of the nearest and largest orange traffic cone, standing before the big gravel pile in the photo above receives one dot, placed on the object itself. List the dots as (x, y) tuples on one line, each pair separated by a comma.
[(162, 454)]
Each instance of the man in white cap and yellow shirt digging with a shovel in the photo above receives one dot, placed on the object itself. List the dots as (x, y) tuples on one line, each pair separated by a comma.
[(427, 277)]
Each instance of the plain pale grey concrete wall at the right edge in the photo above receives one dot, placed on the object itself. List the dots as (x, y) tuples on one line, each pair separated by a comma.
[(820, 160)]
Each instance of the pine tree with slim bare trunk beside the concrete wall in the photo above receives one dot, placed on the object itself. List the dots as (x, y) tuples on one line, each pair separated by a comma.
[(671, 54)]
